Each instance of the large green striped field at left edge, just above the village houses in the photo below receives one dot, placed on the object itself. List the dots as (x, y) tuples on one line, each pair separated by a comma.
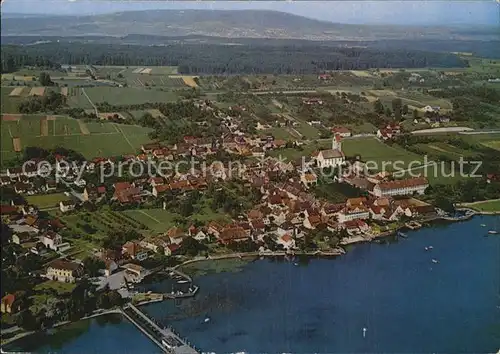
[(91, 139)]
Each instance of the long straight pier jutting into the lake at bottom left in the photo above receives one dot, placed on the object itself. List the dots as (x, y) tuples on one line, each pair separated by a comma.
[(165, 338)]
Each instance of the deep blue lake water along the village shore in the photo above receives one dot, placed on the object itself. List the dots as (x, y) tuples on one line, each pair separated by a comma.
[(406, 302)]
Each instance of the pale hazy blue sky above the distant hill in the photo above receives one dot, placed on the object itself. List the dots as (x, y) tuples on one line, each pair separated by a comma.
[(384, 11)]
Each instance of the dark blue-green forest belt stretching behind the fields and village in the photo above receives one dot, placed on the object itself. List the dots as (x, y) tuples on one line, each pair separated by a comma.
[(219, 59)]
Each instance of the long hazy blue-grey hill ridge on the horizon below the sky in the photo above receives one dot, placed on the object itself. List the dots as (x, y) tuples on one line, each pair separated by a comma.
[(228, 24)]
